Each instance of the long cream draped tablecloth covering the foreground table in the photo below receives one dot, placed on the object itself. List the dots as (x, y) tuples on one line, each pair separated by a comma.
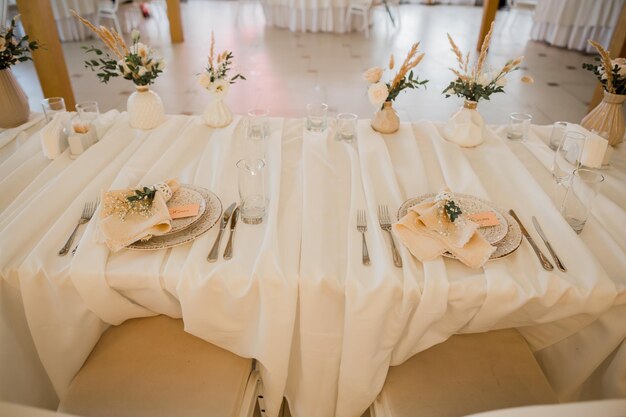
[(323, 327)]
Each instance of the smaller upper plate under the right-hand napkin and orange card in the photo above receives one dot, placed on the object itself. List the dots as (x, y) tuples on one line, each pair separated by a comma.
[(469, 205)]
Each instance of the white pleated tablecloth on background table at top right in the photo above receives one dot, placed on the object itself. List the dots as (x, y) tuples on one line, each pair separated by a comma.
[(570, 23)]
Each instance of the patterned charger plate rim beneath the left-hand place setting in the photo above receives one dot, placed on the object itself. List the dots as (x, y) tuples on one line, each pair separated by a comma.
[(208, 219)]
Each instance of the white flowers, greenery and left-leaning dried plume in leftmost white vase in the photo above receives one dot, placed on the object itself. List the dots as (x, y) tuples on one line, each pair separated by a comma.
[(137, 63)]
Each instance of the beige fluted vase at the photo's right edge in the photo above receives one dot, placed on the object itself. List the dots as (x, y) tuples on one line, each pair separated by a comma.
[(607, 118)]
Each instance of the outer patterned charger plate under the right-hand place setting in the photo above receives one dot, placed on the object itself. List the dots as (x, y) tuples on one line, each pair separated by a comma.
[(504, 247)]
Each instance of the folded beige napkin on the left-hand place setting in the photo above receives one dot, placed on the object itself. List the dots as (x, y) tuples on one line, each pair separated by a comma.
[(120, 231)]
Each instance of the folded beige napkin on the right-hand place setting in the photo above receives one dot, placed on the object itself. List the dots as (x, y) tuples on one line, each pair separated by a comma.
[(427, 234)]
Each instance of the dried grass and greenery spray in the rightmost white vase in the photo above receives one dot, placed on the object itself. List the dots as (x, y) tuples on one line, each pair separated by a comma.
[(474, 83)]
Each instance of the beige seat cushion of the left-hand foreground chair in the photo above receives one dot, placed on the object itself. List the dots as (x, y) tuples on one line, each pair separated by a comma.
[(152, 367)]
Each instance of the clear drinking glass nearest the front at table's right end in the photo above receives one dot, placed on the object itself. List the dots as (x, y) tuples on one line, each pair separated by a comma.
[(583, 188)]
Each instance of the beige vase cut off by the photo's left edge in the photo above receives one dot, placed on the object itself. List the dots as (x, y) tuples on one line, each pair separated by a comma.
[(13, 101)]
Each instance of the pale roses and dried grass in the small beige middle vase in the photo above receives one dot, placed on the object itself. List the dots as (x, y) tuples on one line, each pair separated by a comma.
[(379, 91)]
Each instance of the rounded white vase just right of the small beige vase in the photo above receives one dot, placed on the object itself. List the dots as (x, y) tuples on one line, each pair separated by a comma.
[(466, 127)]
